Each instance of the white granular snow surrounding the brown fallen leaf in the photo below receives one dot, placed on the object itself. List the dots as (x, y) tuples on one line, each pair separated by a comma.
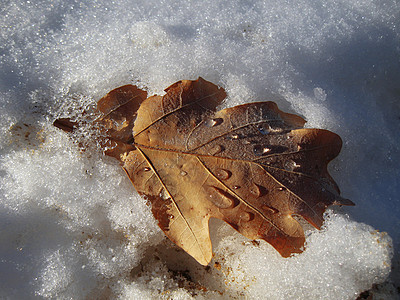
[(71, 224)]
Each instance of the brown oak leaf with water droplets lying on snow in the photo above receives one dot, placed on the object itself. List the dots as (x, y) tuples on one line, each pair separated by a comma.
[(252, 166)]
